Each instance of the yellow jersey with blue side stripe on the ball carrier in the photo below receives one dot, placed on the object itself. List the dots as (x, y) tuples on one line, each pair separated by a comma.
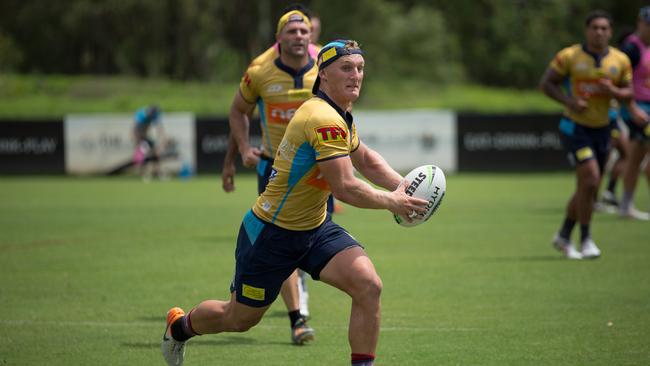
[(296, 196)]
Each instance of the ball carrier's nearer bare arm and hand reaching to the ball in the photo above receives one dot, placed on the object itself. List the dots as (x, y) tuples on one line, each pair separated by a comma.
[(339, 174)]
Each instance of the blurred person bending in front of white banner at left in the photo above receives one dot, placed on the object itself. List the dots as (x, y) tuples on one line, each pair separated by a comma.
[(145, 147)]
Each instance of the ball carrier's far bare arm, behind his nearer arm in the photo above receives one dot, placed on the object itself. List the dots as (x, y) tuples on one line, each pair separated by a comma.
[(375, 168)]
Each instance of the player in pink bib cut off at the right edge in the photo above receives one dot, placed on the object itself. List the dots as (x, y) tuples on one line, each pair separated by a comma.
[(635, 116)]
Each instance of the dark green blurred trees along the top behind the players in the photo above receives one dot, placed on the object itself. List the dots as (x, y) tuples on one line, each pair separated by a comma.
[(493, 42)]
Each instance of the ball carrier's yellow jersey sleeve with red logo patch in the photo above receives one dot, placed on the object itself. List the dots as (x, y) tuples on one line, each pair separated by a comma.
[(329, 139)]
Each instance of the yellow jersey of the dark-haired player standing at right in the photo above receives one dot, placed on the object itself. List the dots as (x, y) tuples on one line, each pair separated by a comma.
[(584, 71)]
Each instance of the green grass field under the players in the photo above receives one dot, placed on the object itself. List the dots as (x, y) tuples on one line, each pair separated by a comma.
[(88, 268)]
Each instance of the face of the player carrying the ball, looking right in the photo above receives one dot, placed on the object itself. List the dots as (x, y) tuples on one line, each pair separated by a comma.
[(344, 78)]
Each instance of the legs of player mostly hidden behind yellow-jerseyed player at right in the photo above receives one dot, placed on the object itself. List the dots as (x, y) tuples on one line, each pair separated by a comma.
[(620, 143)]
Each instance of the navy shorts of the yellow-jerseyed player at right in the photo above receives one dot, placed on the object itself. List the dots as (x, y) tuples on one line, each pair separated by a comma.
[(584, 143)]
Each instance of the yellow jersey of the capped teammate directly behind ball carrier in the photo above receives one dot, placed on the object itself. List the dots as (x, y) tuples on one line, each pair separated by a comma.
[(278, 91)]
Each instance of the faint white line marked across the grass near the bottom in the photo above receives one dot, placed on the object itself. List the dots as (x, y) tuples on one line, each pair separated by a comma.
[(152, 325)]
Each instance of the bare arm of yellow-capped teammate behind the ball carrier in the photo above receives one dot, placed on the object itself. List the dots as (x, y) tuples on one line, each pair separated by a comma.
[(240, 111)]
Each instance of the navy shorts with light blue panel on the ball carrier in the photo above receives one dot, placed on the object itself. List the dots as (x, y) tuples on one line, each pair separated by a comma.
[(267, 254)]
